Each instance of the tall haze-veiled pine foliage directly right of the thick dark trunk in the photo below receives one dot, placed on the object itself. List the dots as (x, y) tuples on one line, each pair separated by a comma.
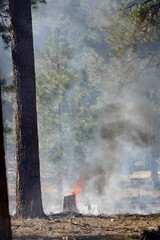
[(54, 81)]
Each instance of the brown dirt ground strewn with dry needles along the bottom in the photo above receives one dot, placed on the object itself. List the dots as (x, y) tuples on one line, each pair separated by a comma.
[(84, 227)]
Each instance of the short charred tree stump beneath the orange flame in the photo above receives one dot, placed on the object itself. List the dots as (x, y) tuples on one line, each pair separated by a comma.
[(69, 204)]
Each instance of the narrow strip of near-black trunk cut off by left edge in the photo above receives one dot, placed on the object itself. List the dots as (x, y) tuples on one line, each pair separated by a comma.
[(5, 224)]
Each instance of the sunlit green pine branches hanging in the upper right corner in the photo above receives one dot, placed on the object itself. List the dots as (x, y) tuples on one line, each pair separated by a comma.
[(130, 29)]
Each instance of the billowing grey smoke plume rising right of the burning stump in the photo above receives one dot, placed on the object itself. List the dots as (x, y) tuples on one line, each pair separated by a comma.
[(124, 124)]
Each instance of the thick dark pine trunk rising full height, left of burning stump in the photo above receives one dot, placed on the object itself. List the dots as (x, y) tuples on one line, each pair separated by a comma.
[(28, 187)]
